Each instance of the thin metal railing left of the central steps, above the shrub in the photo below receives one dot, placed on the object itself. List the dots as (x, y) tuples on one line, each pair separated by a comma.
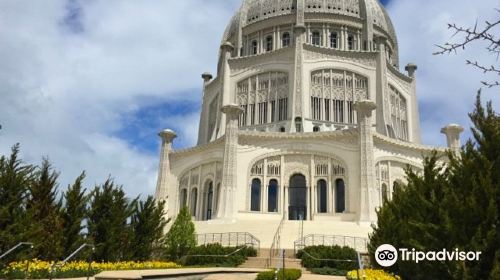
[(230, 239)]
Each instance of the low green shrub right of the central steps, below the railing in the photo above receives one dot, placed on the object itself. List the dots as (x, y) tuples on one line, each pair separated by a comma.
[(316, 257)]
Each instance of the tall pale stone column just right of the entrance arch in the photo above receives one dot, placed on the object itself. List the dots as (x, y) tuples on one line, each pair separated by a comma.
[(367, 163)]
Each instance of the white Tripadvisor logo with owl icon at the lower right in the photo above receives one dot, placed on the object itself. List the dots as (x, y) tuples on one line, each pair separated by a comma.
[(386, 255)]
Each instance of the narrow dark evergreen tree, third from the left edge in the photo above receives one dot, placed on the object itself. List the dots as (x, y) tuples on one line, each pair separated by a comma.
[(73, 214)]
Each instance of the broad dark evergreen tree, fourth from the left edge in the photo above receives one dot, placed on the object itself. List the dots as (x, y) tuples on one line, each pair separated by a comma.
[(108, 224)]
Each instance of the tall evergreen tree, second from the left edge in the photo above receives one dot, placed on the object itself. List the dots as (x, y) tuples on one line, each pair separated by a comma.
[(44, 214)]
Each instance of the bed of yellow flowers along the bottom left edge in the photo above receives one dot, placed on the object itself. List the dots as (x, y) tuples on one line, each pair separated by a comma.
[(41, 269)]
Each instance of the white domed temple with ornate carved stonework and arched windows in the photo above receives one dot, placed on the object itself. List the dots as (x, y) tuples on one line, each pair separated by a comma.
[(308, 118)]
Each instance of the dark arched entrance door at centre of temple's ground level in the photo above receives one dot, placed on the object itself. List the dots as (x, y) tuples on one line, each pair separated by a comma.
[(297, 203)]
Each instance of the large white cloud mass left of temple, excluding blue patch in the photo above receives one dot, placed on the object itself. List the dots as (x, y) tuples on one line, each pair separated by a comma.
[(66, 92)]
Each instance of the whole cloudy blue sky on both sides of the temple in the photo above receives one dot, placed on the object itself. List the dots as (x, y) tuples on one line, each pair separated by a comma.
[(89, 84)]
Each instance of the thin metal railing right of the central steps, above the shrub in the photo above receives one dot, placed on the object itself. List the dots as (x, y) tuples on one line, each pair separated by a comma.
[(357, 243)]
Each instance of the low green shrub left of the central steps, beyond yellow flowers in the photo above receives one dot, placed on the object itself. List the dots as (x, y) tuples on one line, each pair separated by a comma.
[(217, 253)]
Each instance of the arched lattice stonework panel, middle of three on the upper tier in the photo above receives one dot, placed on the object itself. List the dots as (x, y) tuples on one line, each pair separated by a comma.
[(333, 94)]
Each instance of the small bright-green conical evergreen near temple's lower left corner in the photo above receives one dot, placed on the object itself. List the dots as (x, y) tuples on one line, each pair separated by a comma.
[(181, 237)]
